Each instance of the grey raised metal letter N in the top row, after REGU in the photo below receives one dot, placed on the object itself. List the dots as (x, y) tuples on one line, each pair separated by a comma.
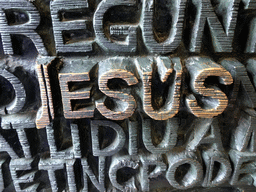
[(222, 34)]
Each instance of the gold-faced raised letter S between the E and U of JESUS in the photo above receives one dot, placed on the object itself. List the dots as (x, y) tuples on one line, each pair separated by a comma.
[(114, 69)]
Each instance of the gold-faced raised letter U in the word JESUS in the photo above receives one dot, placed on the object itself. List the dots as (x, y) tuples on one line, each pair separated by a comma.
[(160, 106)]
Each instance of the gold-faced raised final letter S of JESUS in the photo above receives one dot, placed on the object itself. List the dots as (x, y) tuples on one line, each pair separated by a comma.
[(213, 100)]
